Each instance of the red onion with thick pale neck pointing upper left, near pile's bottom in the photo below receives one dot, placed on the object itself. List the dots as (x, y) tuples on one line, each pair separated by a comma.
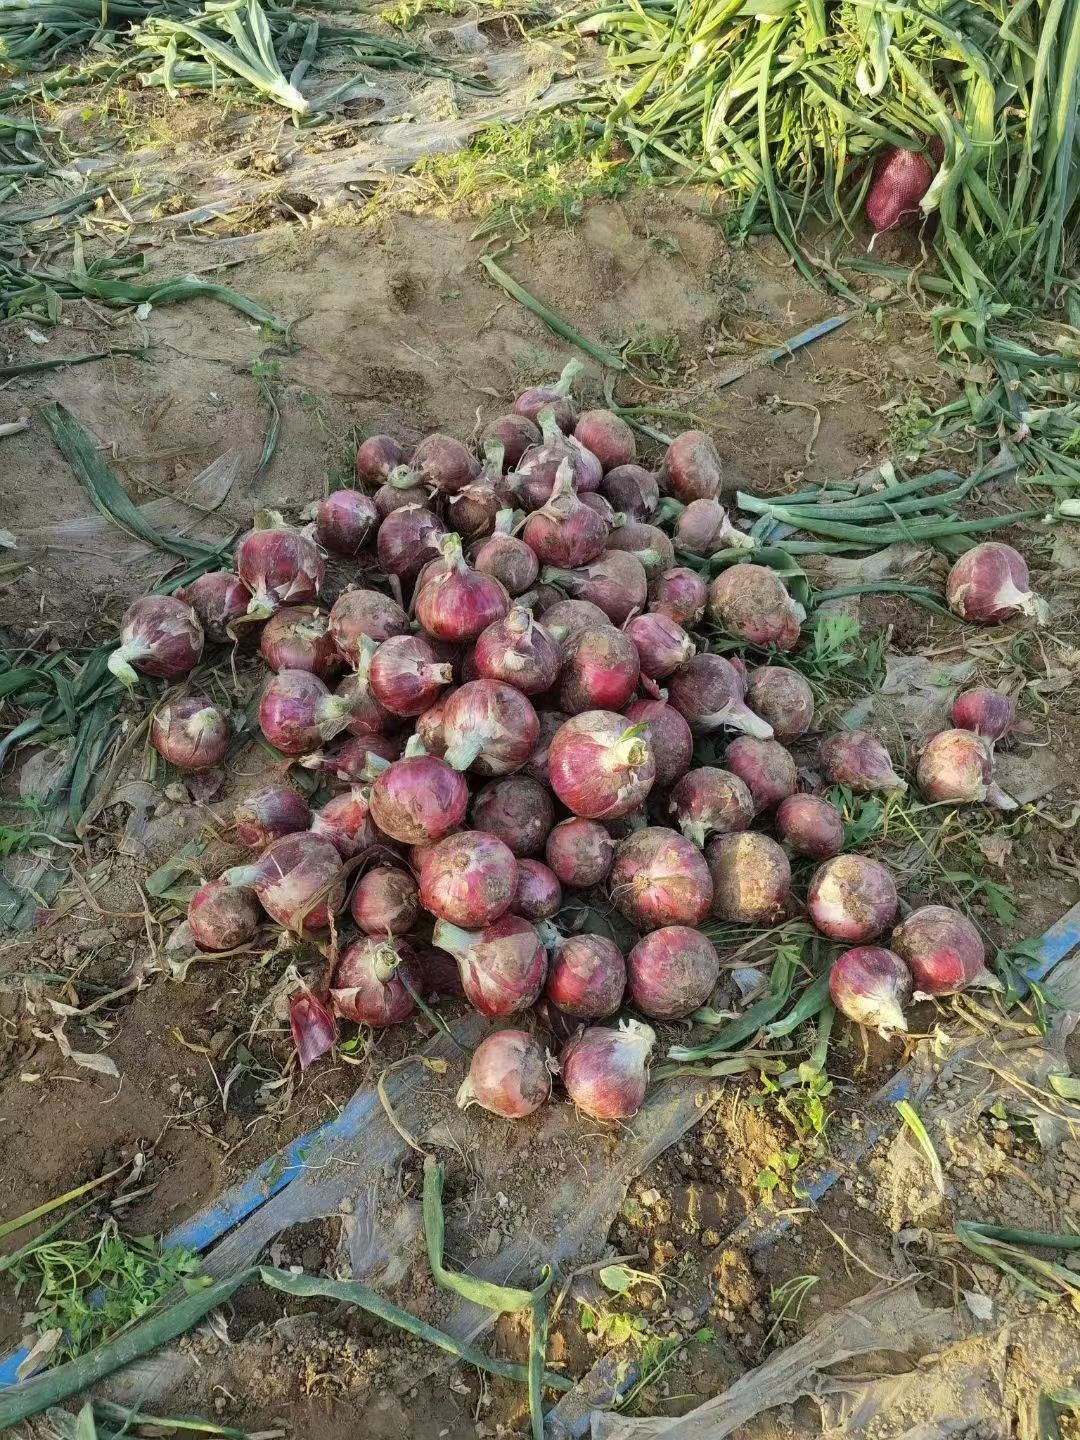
[(503, 967)]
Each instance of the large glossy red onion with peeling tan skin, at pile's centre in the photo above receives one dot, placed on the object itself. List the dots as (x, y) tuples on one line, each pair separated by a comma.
[(600, 767)]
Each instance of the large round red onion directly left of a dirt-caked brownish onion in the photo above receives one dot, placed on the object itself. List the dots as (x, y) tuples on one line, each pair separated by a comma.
[(660, 879)]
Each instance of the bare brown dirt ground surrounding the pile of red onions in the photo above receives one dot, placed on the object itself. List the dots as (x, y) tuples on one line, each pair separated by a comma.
[(395, 329)]
